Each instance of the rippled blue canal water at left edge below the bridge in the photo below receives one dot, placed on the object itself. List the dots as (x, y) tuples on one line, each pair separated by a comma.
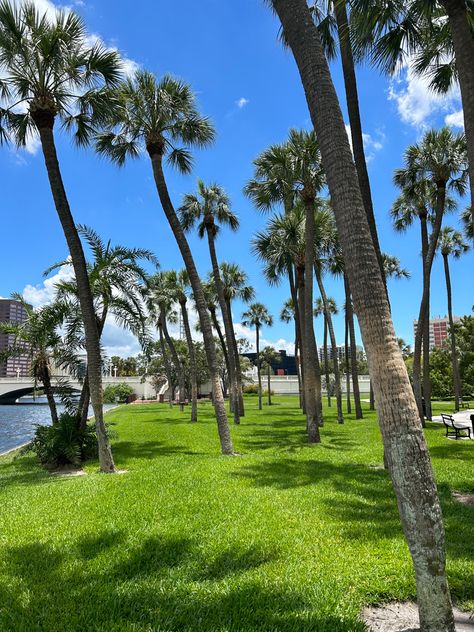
[(18, 422)]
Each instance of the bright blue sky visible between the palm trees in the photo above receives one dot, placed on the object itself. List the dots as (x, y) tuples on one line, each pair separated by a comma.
[(248, 85)]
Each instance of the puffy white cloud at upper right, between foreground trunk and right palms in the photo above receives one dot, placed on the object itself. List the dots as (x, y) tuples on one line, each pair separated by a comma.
[(416, 102)]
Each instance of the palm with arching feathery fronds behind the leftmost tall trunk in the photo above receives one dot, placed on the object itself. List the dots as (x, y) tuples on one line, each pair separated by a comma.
[(118, 283)]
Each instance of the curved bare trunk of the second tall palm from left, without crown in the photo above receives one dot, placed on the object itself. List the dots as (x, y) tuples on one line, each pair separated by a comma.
[(155, 152)]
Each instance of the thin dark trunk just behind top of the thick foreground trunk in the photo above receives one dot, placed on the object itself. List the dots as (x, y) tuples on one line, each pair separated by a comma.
[(352, 102)]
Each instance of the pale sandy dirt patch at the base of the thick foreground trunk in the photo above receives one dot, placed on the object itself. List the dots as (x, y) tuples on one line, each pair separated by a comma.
[(403, 617)]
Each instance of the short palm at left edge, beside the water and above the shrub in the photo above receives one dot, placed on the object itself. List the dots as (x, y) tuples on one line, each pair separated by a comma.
[(38, 337)]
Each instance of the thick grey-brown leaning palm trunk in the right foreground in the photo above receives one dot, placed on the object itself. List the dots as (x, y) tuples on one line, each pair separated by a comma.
[(405, 445)]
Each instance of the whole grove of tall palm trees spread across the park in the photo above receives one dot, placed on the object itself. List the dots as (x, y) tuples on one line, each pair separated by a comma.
[(52, 74)]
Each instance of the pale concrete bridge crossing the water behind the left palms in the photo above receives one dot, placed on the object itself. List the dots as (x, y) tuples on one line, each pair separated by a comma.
[(11, 388)]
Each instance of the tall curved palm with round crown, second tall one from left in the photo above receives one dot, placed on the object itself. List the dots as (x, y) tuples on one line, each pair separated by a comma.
[(157, 116)]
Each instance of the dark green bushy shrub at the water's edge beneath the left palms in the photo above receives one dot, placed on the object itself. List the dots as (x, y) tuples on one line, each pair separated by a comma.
[(64, 443)]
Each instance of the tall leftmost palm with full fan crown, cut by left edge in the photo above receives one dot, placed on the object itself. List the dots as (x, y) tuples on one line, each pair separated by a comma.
[(53, 73)]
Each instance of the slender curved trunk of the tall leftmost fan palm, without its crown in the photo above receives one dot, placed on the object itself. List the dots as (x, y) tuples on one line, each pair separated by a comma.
[(45, 122)]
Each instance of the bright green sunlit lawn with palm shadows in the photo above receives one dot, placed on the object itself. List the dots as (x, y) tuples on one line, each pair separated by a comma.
[(283, 537)]
